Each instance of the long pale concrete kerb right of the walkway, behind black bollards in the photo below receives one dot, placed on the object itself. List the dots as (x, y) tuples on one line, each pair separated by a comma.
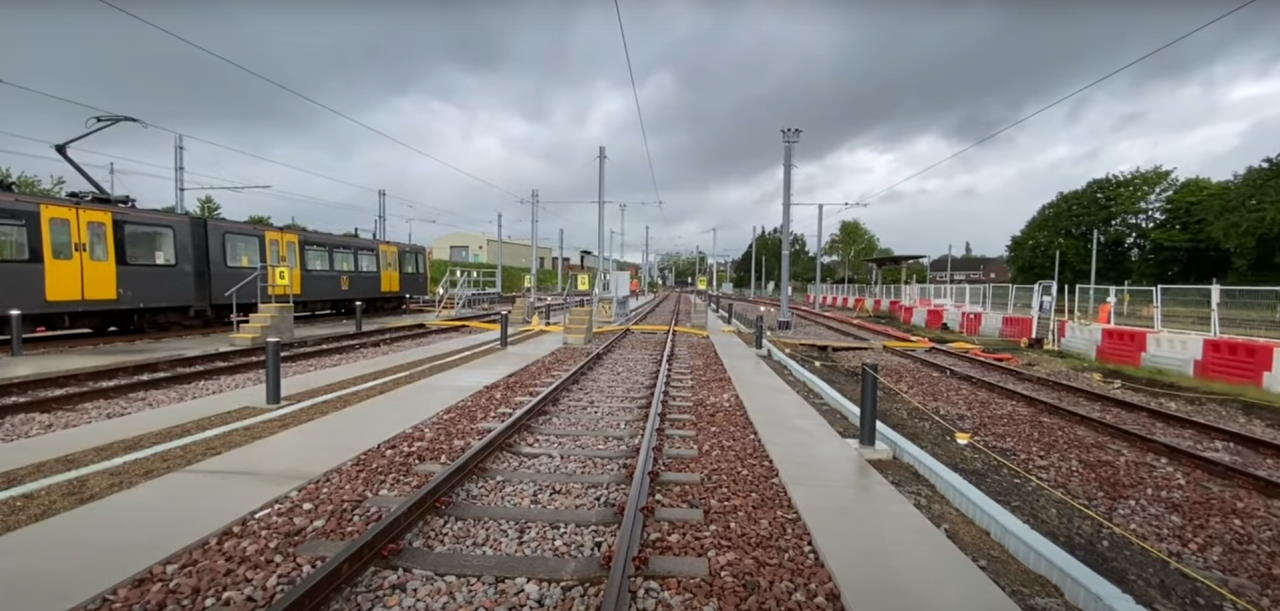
[(1080, 583)]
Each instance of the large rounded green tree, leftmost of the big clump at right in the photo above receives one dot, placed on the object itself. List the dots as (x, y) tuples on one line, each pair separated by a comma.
[(1122, 207)]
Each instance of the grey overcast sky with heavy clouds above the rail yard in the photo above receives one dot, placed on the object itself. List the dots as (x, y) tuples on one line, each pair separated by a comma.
[(522, 94)]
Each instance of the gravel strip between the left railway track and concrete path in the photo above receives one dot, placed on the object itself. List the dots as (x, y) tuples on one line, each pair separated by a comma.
[(29, 425)]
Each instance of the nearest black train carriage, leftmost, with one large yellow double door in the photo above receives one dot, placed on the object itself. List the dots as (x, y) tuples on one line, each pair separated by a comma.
[(72, 265)]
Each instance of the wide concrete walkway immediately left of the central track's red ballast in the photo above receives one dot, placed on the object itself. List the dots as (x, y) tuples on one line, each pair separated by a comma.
[(70, 558)]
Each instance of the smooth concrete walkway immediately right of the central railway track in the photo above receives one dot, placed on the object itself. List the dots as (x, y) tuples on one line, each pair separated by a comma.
[(884, 555)]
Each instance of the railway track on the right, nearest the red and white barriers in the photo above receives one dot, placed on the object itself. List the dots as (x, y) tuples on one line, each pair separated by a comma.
[(1237, 455)]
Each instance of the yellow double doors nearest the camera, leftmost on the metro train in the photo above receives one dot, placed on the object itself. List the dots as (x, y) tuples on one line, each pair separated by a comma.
[(80, 254)]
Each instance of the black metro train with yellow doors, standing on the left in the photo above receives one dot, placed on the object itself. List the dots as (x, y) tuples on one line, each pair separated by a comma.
[(71, 265)]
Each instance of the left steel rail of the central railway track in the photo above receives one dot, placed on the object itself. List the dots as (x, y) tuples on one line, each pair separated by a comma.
[(378, 542)]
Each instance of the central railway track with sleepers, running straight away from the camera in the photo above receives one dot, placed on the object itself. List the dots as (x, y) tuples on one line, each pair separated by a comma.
[(574, 464)]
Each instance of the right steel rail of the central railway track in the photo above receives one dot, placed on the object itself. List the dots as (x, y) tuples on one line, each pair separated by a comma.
[(627, 546)]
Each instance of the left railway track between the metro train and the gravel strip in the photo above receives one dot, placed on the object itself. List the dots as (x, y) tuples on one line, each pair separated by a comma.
[(61, 391)]
